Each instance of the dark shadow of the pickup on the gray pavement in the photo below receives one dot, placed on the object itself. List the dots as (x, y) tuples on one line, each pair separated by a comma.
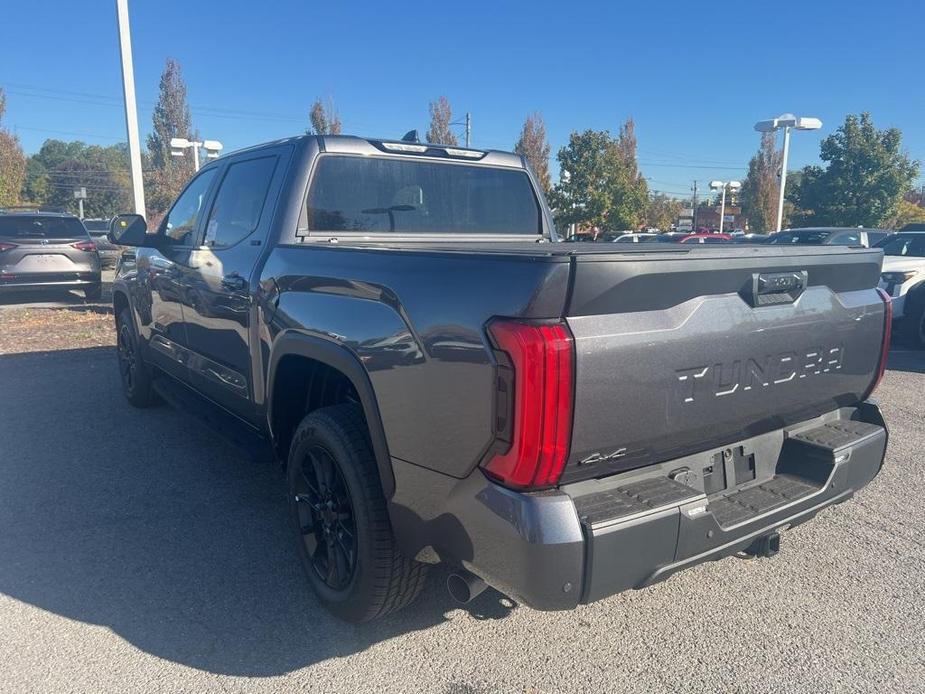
[(140, 522)]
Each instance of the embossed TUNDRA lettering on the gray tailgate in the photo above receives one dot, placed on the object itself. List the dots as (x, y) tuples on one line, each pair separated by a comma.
[(742, 375)]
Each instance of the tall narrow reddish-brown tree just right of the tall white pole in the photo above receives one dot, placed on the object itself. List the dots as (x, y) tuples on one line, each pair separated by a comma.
[(171, 119)]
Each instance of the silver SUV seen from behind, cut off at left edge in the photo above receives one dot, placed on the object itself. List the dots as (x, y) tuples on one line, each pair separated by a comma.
[(47, 251)]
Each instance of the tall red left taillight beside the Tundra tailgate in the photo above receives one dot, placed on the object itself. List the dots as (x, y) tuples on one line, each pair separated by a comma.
[(540, 412)]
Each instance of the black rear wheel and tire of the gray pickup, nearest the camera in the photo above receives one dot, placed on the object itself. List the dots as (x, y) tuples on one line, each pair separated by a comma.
[(339, 512)]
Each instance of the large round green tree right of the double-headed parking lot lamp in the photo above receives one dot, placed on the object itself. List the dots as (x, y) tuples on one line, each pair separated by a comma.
[(864, 181)]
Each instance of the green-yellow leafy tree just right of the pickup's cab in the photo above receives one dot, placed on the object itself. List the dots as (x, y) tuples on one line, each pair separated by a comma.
[(600, 184)]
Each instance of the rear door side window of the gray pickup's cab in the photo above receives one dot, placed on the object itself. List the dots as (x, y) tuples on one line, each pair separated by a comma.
[(239, 202)]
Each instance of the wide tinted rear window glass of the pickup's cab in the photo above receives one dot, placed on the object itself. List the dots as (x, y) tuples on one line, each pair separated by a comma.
[(376, 195)]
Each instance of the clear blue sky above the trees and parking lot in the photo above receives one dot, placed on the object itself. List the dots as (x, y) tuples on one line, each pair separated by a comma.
[(694, 76)]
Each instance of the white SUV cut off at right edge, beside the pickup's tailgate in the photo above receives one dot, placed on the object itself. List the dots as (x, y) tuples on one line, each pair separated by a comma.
[(903, 278)]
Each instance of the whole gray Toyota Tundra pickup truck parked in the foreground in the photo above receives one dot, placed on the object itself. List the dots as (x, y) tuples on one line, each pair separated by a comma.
[(447, 383)]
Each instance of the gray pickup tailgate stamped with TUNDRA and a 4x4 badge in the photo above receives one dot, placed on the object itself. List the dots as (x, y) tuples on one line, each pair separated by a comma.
[(682, 353)]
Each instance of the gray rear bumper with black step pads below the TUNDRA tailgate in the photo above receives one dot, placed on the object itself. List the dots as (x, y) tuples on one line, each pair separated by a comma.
[(557, 549)]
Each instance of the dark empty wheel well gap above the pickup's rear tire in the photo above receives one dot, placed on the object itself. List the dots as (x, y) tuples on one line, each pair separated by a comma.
[(301, 386)]
